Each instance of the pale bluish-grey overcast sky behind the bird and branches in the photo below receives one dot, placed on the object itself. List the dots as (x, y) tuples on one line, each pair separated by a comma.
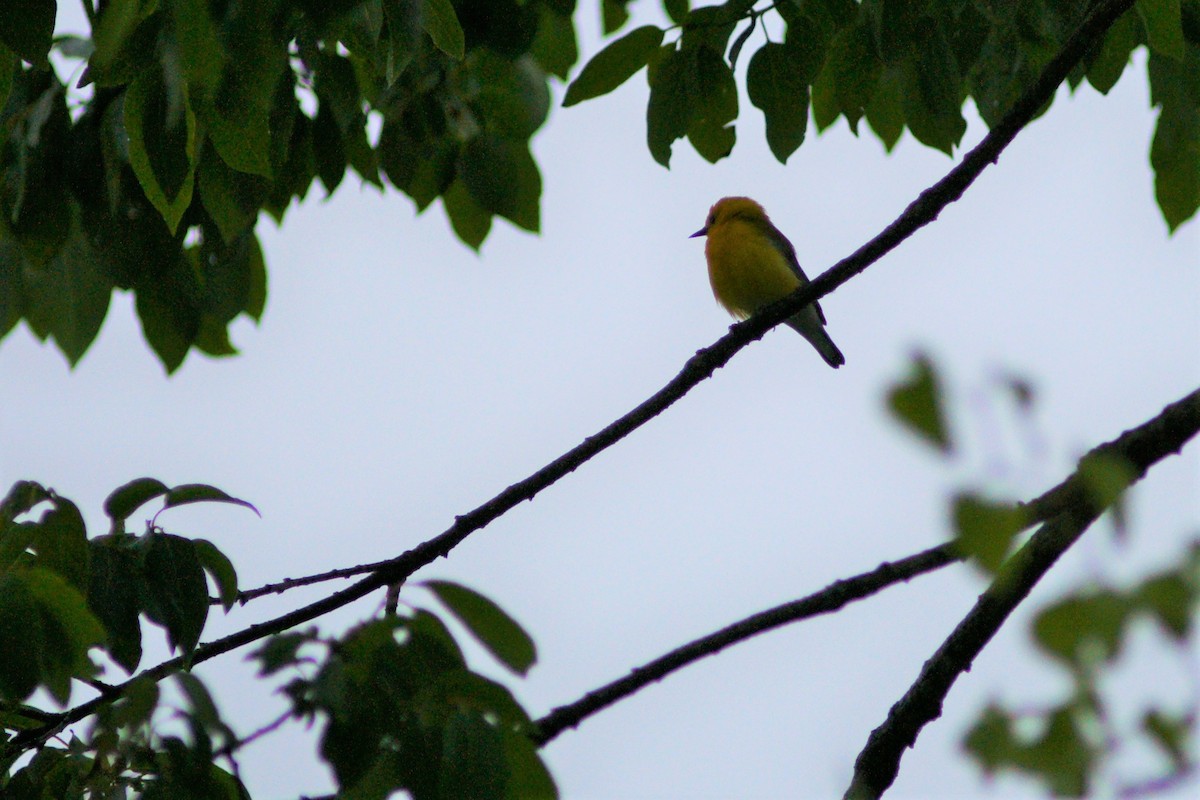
[(399, 380)]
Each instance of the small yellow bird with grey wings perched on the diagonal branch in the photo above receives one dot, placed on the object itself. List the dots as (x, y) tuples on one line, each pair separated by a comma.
[(752, 264)]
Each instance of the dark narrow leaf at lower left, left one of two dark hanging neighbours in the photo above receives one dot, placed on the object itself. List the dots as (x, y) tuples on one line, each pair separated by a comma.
[(115, 587)]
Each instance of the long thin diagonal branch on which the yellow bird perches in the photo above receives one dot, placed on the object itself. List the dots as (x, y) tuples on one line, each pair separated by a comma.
[(700, 368)]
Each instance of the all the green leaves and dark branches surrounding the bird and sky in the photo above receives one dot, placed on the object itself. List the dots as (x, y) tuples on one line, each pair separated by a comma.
[(183, 121)]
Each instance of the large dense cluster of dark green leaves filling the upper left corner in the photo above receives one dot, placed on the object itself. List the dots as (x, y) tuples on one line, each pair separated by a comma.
[(197, 116)]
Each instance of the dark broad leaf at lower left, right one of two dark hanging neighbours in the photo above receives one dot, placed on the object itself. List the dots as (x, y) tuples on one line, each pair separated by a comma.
[(177, 592)]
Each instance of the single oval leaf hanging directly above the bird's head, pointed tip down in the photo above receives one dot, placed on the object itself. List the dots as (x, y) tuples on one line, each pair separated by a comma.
[(778, 87)]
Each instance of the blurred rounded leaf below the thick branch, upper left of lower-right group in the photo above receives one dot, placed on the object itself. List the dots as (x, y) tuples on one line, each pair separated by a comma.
[(1083, 629)]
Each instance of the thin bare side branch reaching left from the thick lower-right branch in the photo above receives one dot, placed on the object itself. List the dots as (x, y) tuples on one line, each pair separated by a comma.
[(829, 600)]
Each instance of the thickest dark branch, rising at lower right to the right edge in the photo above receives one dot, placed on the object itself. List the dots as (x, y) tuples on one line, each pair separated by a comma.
[(879, 763)]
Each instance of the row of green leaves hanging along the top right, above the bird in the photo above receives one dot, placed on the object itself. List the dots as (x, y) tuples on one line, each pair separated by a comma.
[(898, 64)]
